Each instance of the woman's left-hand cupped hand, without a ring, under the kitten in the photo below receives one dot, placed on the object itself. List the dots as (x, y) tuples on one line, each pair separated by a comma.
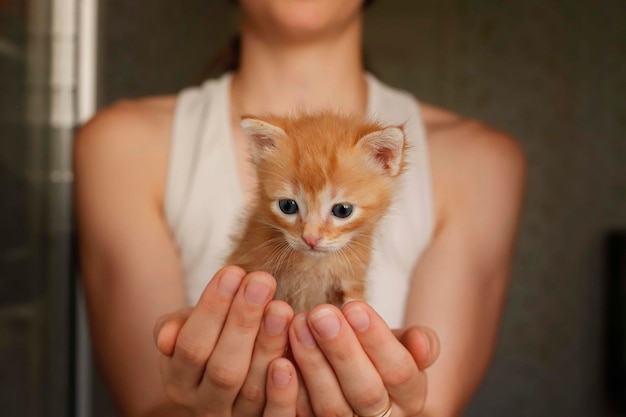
[(224, 357)]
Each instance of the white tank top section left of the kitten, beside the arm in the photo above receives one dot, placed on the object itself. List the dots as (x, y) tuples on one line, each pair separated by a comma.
[(203, 191)]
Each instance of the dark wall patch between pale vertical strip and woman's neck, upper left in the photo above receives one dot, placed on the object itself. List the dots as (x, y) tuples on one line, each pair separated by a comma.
[(150, 48)]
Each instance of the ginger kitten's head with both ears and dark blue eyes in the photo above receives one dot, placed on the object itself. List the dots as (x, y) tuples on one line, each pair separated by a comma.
[(324, 180)]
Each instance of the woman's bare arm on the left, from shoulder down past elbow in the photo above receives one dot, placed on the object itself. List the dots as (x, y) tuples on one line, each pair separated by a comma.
[(129, 266)]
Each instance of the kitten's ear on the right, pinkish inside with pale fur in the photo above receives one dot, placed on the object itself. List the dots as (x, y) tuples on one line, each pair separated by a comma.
[(385, 147)]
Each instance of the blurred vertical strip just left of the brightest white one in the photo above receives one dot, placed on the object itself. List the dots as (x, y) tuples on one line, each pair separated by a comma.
[(58, 207)]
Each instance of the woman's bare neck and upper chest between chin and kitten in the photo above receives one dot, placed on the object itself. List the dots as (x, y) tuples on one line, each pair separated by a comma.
[(326, 73)]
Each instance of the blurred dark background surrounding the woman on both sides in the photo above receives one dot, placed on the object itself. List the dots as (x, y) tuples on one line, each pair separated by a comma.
[(551, 73)]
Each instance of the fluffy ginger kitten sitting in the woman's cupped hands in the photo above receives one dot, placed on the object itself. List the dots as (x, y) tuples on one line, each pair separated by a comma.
[(324, 183)]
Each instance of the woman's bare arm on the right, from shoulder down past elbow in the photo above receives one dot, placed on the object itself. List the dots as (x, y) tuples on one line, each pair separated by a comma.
[(460, 283)]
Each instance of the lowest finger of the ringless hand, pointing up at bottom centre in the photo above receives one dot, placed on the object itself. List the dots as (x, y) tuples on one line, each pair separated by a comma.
[(282, 389)]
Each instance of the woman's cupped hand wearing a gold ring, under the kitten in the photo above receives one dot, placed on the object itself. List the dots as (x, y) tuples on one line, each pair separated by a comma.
[(352, 363)]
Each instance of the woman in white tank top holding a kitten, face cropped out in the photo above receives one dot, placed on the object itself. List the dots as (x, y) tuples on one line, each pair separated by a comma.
[(155, 202)]
